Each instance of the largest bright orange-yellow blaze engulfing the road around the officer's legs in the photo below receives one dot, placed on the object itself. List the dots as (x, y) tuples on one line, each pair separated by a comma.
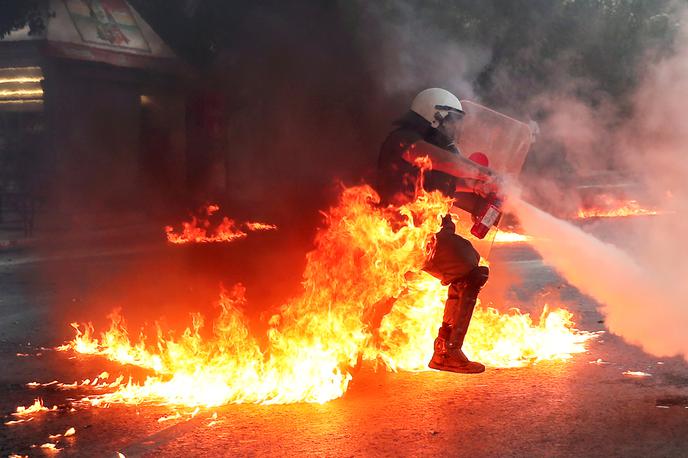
[(365, 256)]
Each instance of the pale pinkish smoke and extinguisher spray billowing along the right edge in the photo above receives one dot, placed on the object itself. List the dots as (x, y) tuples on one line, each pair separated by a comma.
[(641, 290)]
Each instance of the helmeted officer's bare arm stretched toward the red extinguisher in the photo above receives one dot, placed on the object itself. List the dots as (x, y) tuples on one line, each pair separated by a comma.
[(444, 161)]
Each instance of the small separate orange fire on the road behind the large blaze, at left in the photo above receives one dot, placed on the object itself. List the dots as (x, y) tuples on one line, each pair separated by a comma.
[(201, 230)]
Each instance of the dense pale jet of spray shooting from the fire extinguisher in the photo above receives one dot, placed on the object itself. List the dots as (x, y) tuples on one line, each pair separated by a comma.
[(639, 304)]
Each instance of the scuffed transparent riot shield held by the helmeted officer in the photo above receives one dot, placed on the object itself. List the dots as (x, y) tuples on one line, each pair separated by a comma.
[(505, 141)]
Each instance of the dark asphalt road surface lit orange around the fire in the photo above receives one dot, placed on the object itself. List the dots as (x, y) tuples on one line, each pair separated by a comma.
[(582, 407)]
